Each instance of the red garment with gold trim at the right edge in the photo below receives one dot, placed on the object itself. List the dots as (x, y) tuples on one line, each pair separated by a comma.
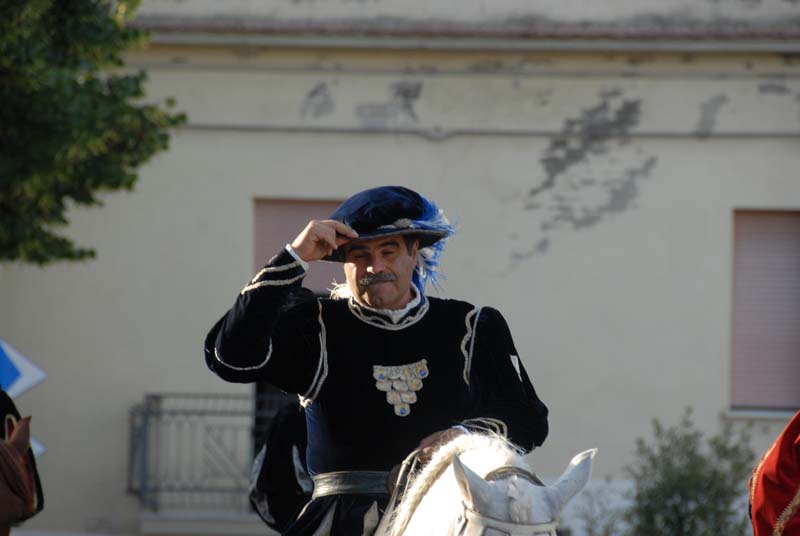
[(775, 486)]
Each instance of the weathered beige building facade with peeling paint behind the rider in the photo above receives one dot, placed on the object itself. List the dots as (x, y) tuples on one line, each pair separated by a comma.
[(612, 181)]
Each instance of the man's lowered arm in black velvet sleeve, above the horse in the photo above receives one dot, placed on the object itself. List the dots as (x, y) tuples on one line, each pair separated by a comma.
[(501, 391)]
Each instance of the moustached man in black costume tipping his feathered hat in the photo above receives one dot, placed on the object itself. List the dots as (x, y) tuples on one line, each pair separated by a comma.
[(381, 368)]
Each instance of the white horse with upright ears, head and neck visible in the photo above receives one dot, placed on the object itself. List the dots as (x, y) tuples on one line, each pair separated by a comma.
[(479, 484)]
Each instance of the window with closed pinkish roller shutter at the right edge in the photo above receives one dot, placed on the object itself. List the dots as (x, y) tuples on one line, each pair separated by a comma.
[(766, 311)]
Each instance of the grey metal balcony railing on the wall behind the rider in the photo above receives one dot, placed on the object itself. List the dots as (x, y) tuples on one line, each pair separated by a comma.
[(195, 451)]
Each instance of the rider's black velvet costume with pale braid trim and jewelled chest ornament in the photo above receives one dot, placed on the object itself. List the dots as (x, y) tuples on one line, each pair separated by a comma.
[(373, 387)]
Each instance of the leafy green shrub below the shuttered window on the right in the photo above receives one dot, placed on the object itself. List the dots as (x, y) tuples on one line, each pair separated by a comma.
[(685, 486)]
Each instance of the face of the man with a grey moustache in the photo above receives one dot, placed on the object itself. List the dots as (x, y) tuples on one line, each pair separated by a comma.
[(379, 271)]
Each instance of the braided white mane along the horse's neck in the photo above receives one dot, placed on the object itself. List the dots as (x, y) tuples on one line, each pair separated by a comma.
[(495, 450)]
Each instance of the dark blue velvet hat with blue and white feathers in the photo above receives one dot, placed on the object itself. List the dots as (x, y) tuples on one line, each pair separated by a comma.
[(395, 210)]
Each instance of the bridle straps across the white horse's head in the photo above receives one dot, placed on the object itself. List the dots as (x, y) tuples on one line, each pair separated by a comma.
[(471, 523)]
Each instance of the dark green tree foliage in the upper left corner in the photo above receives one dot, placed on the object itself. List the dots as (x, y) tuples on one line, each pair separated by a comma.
[(72, 123)]
